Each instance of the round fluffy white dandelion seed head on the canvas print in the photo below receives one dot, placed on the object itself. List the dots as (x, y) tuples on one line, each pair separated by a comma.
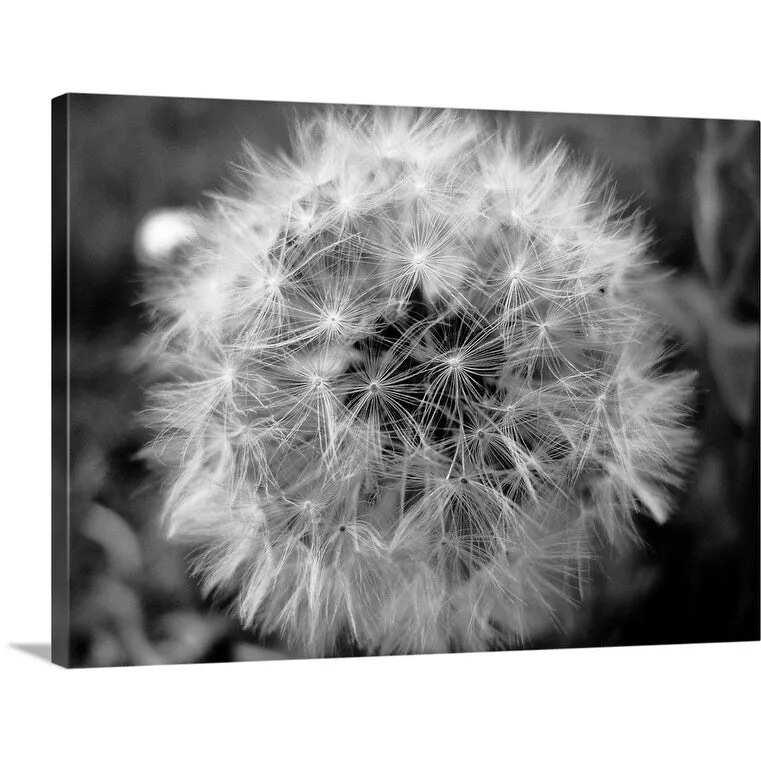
[(409, 386)]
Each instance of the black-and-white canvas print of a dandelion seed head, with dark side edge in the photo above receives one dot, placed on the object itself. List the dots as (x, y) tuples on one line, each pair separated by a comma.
[(337, 380)]
